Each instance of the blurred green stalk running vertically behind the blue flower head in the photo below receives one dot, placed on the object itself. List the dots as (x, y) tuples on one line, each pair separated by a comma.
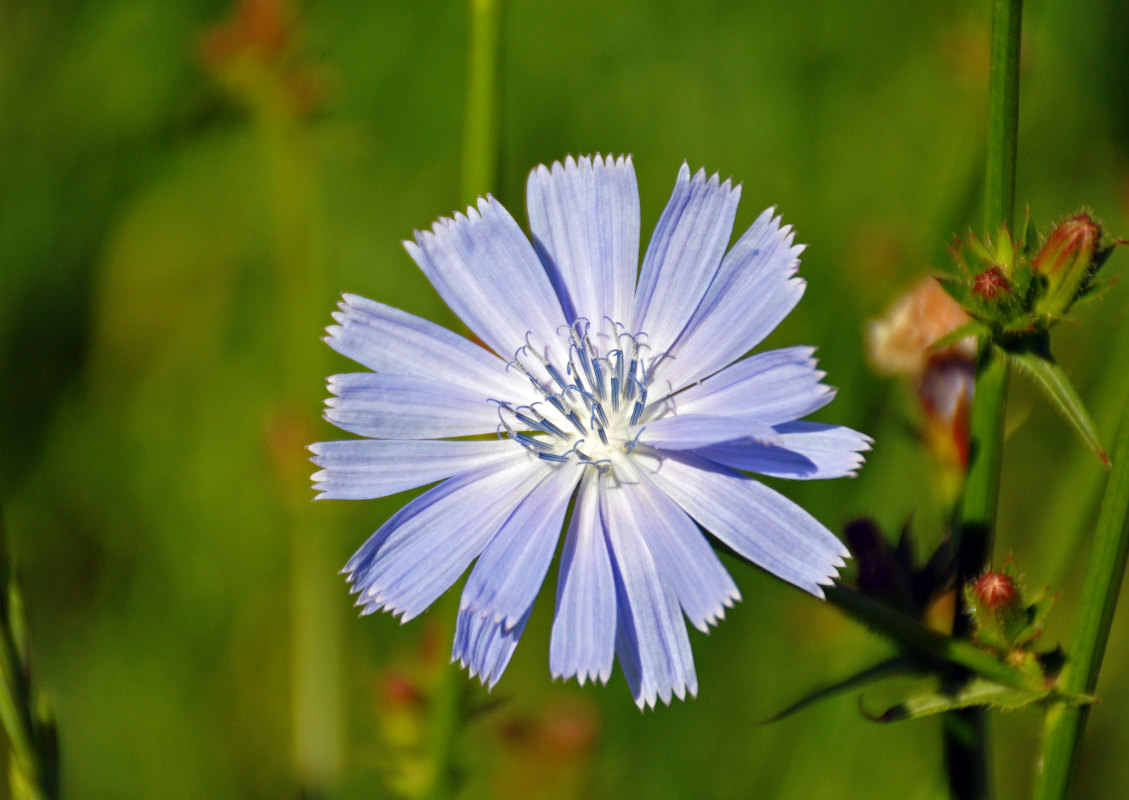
[(479, 177)]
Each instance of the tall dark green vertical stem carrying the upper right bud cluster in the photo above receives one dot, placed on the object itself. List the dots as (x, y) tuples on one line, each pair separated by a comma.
[(966, 736)]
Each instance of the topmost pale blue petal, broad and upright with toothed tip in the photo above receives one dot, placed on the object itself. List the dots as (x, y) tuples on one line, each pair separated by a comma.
[(584, 216)]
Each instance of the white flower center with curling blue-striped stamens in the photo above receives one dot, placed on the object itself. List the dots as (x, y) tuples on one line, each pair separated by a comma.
[(591, 407)]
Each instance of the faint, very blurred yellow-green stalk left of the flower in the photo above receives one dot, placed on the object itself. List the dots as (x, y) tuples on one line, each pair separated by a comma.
[(317, 724)]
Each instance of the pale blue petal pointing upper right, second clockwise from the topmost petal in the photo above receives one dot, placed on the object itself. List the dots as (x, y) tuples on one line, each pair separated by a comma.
[(755, 291)]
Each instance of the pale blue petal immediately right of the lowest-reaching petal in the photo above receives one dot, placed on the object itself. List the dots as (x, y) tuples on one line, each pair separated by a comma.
[(685, 559)]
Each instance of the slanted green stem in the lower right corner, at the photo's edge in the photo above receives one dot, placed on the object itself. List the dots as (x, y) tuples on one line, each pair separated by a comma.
[(1065, 725)]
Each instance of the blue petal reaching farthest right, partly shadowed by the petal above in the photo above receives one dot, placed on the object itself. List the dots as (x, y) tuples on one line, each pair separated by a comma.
[(808, 452)]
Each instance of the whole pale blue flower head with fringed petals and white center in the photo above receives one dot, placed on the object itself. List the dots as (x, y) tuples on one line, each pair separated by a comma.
[(625, 400)]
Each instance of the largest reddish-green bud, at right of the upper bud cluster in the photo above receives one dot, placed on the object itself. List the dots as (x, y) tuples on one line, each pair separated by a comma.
[(1067, 261)]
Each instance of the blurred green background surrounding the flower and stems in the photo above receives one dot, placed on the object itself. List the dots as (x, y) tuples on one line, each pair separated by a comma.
[(185, 191)]
